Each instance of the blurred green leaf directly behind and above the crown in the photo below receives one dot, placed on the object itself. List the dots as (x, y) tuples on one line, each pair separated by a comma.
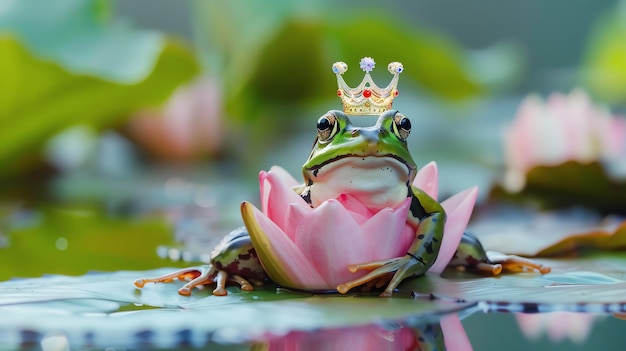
[(432, 60)]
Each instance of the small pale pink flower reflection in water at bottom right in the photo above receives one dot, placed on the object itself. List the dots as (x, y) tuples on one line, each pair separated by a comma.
[(558, 325)]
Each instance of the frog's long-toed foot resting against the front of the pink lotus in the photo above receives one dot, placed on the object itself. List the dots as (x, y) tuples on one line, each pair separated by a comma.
[(390, 272)]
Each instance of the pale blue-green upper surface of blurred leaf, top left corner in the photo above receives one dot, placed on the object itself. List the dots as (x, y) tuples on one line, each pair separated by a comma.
[(79, 36)]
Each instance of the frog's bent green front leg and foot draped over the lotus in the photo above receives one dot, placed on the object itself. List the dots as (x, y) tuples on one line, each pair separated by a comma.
[(429, 217)]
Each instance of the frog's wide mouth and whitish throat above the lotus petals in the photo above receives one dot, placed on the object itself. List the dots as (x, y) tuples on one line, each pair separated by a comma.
[(377, 181)]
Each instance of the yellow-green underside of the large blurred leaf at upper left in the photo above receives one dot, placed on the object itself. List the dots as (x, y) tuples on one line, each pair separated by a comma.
[(39, 98)]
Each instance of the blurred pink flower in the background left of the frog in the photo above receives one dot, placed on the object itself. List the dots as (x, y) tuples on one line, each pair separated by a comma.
[(188, 126)]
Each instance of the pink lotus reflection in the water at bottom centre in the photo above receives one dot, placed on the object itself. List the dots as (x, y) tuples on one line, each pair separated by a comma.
[(447, 334)]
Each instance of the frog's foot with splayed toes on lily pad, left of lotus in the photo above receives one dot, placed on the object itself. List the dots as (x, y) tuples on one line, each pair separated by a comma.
[(197, 277)]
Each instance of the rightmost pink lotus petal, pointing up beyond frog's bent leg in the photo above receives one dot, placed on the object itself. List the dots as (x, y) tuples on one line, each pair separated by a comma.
[(458, 209)]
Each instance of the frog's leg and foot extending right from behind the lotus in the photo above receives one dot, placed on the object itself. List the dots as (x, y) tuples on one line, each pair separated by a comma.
[(471, 256)]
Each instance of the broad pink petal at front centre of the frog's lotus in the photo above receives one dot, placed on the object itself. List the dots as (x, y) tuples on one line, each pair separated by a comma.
[(331, 239)]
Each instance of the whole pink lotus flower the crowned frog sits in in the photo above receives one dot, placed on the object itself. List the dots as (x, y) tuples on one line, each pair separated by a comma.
[(311, 248)]
